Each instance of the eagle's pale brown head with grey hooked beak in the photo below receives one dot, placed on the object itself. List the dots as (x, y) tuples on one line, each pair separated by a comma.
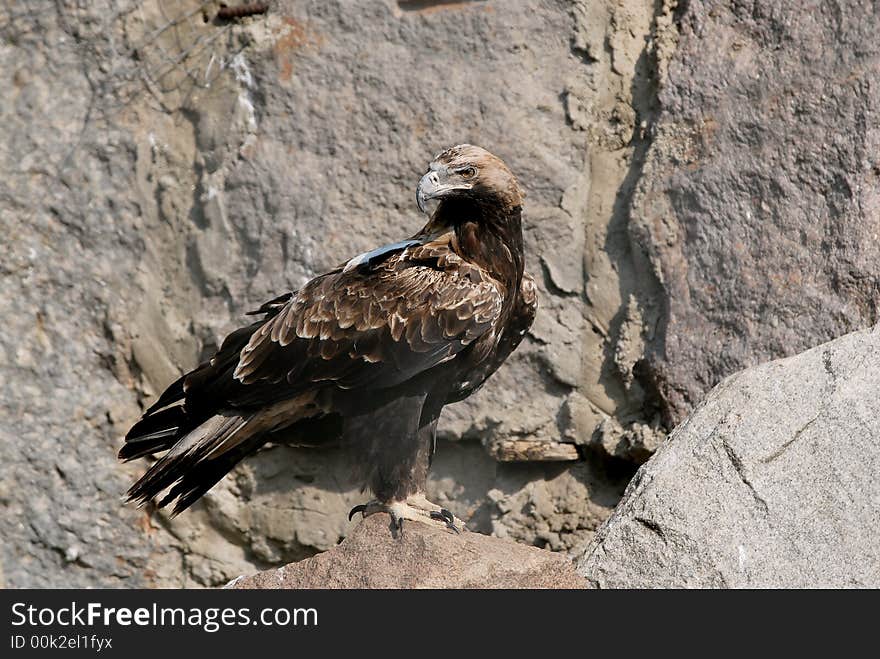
[(468, 172)]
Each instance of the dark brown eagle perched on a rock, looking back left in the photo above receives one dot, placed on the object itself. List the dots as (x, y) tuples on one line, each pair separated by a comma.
[(366, 355)]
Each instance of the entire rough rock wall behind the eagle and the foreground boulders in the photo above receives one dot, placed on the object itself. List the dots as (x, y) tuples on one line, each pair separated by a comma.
[(702, 195)]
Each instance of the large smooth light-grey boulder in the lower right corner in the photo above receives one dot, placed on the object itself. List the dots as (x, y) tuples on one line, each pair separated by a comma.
[(770, 483)]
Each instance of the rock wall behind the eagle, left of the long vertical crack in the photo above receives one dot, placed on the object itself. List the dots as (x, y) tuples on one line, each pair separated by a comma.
[(165, 171)]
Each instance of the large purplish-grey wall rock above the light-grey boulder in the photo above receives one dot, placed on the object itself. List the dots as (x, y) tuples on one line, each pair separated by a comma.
[(757, 206)]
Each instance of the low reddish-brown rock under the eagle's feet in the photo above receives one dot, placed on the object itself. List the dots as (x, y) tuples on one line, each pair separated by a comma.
[(424, 557)]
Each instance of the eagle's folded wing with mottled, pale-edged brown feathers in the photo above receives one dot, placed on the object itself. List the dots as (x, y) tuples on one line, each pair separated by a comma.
[(372, 324)]
